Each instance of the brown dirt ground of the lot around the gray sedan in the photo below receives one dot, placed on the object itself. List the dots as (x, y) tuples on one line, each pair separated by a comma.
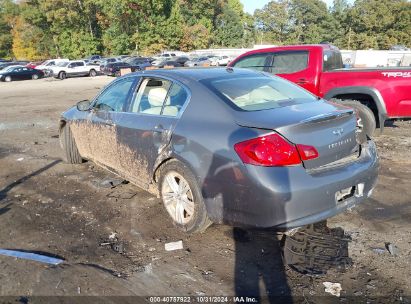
[(50, 207)]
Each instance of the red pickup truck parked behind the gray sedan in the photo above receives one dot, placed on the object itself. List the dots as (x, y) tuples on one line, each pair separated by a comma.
[(377, 94)]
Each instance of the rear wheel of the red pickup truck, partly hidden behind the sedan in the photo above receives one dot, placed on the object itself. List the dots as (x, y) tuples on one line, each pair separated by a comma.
[(366, 122)]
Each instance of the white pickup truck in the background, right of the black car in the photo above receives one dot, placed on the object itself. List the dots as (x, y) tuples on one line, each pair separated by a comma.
[(74, 68)]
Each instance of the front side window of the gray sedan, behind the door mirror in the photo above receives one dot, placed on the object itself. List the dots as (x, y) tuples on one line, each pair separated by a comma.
[(114, 98)]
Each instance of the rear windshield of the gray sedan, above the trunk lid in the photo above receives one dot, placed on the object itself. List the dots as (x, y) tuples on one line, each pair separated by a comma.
[(260, 93)]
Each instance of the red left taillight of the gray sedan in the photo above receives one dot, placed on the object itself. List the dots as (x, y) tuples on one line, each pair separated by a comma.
[(273, 150)]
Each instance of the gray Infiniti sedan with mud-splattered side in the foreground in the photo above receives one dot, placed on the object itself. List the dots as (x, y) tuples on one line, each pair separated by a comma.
[(227, 146)]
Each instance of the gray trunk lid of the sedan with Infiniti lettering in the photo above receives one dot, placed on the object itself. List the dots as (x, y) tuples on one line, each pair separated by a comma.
[(328, 127)]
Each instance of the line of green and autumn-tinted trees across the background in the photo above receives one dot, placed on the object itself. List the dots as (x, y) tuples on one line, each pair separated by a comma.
[(38, 29)]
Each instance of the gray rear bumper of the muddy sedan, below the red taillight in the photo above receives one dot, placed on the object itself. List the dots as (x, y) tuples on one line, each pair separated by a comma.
[(289, 197)]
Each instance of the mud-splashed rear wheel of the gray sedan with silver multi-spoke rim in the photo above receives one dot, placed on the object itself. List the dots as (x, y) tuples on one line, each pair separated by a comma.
[(182, 197)]
